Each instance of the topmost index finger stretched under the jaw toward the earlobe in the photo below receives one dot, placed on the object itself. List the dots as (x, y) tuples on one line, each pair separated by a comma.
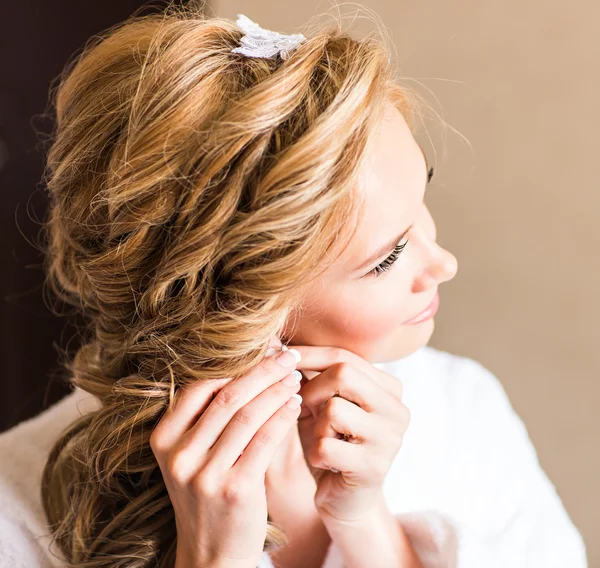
[(319, 358)]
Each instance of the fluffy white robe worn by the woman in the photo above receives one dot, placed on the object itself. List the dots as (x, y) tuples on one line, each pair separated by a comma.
[(466, 484)]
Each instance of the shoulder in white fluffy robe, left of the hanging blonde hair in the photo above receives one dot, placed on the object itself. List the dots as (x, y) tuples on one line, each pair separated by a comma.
[(24, 450)]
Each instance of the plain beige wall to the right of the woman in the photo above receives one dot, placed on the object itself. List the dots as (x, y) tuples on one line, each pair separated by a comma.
[(519, 207)]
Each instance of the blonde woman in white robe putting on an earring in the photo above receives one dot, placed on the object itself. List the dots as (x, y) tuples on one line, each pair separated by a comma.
[(232, 211)]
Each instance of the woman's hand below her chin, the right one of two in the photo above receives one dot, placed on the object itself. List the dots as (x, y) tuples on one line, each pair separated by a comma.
[(348, 396)]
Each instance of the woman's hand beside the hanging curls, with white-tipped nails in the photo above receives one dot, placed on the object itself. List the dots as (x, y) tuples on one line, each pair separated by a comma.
[(214, 455)]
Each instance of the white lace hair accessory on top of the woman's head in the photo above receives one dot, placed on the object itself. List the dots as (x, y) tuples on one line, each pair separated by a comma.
[(259, 42)]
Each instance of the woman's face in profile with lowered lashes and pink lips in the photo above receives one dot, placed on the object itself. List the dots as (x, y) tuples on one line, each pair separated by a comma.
[(351, 307)]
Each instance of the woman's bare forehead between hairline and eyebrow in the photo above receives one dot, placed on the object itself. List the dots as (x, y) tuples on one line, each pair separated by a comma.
[(393, 181)]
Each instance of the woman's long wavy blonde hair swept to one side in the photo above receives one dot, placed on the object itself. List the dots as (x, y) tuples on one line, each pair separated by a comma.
[(194, 192)]
